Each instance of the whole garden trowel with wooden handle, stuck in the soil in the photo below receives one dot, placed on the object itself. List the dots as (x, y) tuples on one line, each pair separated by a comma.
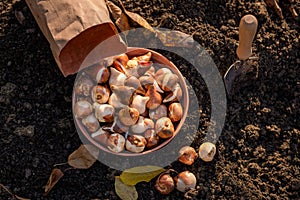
[(247, 31)]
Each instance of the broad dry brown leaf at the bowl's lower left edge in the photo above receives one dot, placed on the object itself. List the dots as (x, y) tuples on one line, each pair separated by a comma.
[(84, 157)]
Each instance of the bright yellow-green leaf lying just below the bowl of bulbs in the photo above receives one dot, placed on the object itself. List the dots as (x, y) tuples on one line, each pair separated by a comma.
[(135, 175)]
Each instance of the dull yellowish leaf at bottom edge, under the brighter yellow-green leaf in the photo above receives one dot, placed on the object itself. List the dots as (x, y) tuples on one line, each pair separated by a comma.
[(125, 192)]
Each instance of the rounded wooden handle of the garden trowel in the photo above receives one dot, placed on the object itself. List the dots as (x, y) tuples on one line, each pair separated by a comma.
[(247, 31)]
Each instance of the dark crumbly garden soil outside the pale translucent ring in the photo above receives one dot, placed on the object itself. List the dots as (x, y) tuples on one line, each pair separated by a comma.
[(258, 152)]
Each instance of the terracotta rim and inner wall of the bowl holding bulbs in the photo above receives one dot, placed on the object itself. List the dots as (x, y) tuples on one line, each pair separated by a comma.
[(156, 58)]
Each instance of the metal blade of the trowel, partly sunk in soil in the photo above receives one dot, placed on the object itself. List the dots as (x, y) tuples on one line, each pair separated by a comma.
[(231, 74)]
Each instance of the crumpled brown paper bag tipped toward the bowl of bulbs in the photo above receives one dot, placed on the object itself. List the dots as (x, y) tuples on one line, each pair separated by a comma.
[(74, 29)]
